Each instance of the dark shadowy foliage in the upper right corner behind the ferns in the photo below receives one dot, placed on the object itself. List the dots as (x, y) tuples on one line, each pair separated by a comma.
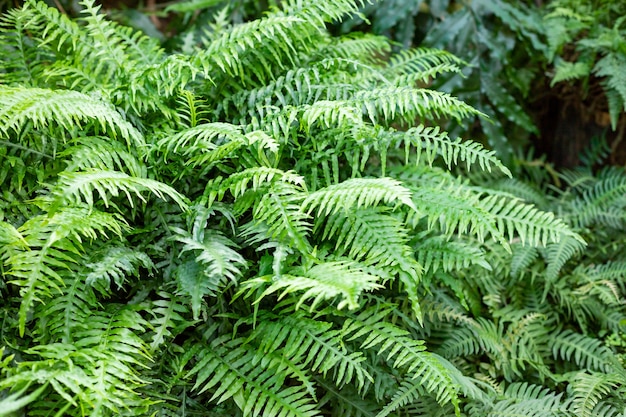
[(551, 71)]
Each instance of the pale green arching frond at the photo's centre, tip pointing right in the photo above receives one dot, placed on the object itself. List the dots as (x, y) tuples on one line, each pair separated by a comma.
[(357, 193)]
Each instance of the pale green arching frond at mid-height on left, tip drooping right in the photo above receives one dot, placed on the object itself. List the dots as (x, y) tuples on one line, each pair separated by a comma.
[(74, 187)]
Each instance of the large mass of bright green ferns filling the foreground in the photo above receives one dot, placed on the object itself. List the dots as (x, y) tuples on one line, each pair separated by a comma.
[(266, 220)]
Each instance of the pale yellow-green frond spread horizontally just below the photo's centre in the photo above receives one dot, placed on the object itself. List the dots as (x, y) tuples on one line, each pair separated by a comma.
[(342, 279)]
